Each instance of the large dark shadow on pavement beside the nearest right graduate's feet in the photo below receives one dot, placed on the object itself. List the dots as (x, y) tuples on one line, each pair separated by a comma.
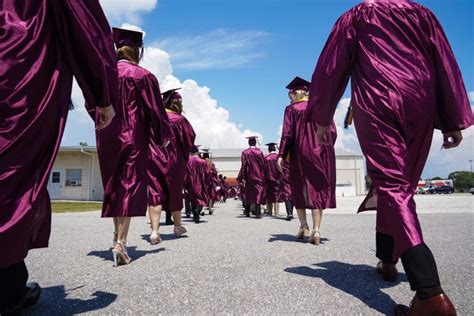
[(360, 281)]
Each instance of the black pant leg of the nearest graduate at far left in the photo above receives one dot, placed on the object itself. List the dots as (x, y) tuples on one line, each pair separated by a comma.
[(12, 284)]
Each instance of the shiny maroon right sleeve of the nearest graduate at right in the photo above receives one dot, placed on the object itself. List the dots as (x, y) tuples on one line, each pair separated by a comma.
[(453, 109)]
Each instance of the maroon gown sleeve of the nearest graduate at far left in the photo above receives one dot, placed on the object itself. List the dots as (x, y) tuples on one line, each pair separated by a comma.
[(87, 40)]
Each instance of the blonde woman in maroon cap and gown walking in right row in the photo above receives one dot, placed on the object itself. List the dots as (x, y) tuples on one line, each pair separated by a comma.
[(312, 164)]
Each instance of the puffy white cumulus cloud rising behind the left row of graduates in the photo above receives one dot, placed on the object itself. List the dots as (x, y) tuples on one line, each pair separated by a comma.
[(212, 122)]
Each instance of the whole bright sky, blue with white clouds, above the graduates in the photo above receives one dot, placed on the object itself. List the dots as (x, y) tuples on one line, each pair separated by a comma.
[(246, 52)]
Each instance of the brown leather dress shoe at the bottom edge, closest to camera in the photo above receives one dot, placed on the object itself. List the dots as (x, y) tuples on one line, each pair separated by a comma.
[(439, 305)]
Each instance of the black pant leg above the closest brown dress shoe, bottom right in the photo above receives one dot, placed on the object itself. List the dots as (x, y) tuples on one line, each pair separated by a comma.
[(420, 267)]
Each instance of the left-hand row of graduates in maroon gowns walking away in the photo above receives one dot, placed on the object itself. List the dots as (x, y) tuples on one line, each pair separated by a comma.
[(143, 140)]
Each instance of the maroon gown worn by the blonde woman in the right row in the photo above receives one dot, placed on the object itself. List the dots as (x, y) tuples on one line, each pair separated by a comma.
[(312, 165)]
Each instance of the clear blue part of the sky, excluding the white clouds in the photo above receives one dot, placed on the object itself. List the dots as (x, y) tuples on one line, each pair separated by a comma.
[(295, 34)]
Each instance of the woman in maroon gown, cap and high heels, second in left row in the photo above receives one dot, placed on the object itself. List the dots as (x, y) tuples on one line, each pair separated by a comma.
[(129, 144)]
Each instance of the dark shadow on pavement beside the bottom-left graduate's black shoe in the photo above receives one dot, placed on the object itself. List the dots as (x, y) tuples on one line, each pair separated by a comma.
[(54, 301)]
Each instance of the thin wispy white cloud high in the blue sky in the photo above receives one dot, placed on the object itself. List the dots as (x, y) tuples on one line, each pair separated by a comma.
[(219, 49)]
